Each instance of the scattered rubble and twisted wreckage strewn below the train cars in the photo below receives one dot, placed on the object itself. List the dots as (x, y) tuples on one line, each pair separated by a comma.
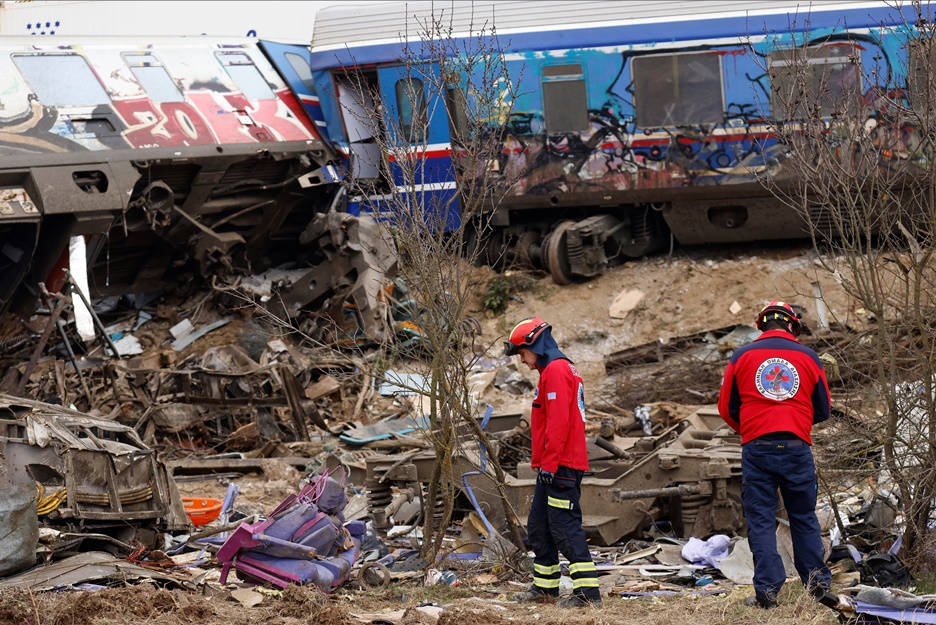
[(205, 398)]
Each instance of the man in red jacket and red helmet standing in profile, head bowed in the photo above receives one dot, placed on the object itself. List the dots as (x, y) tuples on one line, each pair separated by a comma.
[(557, 424)]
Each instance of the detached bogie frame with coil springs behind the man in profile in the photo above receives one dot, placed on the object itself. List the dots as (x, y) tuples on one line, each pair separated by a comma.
[(687, 474)]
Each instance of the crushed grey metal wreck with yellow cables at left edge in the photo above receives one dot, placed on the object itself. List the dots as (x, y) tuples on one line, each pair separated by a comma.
[(106, 470)]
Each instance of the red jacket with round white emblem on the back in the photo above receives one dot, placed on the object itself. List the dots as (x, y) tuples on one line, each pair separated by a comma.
[(774, 384)]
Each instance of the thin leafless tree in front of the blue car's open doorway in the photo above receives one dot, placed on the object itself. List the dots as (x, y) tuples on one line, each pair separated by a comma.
[(435, 210)]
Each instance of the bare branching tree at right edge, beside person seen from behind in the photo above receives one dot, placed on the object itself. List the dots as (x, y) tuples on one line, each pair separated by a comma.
[(855, 130)]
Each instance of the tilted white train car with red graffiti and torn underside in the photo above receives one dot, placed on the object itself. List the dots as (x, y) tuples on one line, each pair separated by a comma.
[(169, 155)]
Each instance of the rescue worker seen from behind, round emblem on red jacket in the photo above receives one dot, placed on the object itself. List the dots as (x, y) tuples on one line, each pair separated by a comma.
[(773, 392)]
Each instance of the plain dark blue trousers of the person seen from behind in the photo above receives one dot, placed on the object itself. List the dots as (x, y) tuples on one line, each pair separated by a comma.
[(764, 469)]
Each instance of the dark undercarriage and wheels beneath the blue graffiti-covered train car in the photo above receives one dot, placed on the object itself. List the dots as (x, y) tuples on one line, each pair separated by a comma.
[(574, 239)]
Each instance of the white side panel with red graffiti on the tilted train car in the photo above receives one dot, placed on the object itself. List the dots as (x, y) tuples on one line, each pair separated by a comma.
[(56, 98)]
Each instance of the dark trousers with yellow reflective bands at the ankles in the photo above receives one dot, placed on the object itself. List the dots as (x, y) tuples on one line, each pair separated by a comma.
[(554, 525)]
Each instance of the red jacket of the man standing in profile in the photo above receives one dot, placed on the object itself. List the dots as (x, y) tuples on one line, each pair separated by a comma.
[(557, 421)]
